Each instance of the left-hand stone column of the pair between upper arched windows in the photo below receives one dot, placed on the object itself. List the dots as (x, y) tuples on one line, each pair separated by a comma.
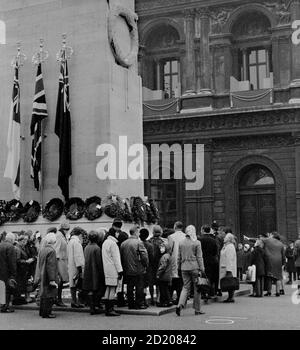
[(189, 69)]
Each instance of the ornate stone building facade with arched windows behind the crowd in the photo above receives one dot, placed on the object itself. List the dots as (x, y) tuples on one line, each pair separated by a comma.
[(225, 74)]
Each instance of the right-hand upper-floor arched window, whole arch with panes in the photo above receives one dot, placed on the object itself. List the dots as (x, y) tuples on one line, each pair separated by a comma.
[(252, 43)]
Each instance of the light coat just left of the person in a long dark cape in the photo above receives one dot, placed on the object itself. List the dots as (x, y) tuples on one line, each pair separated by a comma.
[(75, 258)]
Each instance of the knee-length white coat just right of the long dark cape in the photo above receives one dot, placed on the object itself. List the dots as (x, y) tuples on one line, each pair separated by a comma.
[(111, 261)]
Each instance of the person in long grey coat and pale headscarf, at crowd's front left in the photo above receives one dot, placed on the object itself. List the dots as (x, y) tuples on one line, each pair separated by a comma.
[(48, 276)]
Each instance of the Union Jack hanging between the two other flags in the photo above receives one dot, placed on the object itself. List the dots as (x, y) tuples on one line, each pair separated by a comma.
[(38, 114)]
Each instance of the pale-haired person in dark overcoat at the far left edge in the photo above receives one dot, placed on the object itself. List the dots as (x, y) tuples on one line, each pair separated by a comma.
[(8, 269)]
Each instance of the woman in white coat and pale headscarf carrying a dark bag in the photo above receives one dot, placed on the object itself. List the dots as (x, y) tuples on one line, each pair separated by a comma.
[(228, 262)]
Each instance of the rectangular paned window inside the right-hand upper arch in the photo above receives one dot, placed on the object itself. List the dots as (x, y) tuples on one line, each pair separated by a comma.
[(256, 66)]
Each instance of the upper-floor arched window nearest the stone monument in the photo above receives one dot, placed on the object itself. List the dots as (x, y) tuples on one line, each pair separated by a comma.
[(161, 63)]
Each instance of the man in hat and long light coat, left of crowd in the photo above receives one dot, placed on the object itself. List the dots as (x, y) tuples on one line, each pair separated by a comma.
[(61, 249)]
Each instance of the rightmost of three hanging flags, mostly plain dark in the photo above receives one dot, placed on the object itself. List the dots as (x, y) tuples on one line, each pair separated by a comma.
[(63, 130)]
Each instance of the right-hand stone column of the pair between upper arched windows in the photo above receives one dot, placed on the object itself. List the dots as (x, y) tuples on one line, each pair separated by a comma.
[(205, 62)]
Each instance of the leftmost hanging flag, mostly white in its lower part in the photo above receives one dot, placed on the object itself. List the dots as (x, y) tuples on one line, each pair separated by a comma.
[(12, 169)]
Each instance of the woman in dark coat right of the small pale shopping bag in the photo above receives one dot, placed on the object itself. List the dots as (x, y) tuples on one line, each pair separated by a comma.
[(260, 260)]
